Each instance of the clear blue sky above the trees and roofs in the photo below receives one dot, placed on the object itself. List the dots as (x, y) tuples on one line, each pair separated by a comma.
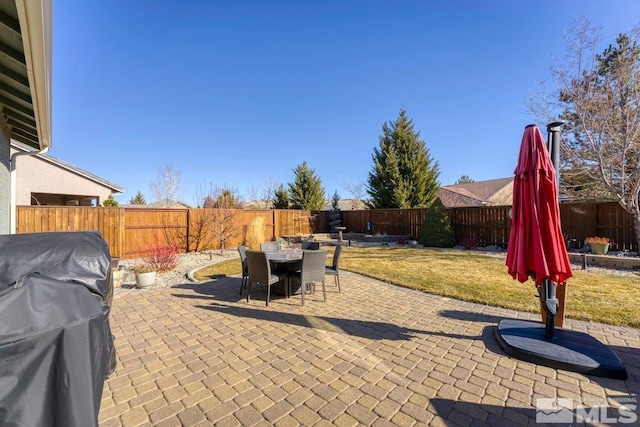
[(236, 92)]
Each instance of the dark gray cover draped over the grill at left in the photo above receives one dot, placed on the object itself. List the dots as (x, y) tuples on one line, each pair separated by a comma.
[(56, 347)]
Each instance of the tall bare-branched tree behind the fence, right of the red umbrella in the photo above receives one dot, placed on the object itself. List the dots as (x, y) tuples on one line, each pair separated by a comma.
[(598, 95)]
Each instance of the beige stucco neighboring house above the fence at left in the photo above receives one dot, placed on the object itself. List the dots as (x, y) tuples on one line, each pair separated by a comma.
[(45, 180)]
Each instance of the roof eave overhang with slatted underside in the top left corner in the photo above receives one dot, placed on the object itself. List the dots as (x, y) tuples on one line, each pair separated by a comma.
[(25, 70)]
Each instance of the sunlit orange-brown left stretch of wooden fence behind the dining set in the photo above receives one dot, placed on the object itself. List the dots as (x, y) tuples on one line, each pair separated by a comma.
[(131, 232)]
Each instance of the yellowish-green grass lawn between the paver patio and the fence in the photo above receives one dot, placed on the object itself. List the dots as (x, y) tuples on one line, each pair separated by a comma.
[(469, 276)]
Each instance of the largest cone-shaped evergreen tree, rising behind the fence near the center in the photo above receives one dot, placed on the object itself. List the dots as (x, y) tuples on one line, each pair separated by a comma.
[(403, 175)]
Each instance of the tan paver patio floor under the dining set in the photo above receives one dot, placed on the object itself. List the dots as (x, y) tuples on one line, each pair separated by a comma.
[(374, 354)]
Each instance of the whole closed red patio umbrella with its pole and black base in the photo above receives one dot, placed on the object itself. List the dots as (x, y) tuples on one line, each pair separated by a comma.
[(536, 249)]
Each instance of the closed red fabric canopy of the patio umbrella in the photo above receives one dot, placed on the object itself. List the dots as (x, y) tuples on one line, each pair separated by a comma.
[(536, 244)]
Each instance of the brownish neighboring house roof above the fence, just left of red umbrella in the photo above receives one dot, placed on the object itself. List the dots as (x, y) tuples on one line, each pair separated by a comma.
[(493, 192)]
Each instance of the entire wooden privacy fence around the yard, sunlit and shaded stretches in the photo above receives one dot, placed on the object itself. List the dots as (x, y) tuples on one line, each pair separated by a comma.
[(131, 231)]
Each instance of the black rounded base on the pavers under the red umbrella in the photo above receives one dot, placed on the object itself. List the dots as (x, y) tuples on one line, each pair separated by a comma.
[(569, 350)]
